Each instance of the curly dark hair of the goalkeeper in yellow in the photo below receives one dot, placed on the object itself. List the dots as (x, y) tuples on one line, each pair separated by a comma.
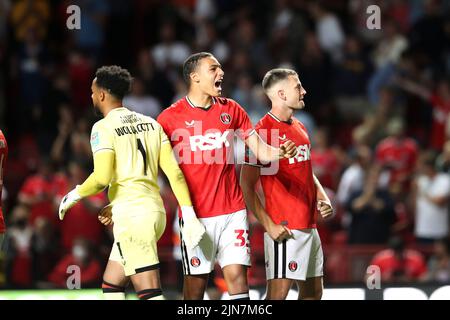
[(114, 79)]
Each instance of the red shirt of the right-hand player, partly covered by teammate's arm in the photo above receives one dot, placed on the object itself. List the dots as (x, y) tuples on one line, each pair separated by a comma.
[(290, 193)]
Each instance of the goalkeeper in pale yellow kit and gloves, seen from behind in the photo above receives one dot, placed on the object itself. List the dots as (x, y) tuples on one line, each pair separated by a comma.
[(127, 148)]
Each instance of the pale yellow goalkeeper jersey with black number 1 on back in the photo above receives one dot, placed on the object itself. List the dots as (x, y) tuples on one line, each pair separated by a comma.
[(136, 142)]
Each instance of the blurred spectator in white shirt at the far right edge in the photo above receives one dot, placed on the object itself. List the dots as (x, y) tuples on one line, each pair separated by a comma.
[(431, 195)]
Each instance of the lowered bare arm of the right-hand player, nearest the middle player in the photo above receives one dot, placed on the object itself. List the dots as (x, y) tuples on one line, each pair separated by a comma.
[(249, 178)]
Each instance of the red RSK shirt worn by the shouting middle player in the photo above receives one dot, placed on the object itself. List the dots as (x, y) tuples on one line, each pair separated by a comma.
[(202, 140)]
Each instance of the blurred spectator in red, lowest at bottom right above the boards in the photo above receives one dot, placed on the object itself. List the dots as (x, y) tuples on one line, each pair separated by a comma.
[(399, 264)]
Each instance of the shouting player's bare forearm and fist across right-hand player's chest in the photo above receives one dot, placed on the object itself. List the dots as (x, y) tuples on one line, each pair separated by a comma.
[(267, 153)]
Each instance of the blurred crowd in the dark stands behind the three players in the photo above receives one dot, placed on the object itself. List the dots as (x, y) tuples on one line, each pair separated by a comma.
[(377, 110)]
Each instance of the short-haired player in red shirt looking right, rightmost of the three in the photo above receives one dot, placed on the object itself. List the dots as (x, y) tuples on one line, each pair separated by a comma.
[(293, 195)]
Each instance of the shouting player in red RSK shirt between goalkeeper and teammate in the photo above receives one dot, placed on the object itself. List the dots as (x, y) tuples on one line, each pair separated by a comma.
[(201, 127)]
